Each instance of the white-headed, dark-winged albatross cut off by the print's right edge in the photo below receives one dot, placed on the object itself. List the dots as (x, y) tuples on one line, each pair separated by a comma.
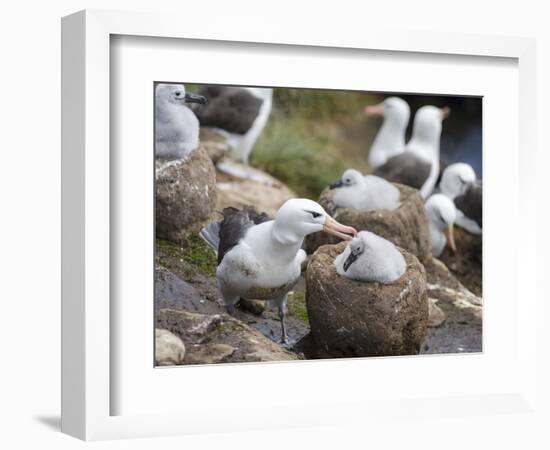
[(459, 184)]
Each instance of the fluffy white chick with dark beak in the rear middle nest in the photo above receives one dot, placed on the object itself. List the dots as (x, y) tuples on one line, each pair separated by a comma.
[(364, 193)]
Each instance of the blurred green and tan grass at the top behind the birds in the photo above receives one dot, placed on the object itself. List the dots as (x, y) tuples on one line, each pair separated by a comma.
[(312, 136)]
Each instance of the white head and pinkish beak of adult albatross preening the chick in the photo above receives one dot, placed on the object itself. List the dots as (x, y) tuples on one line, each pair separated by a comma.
[(299, 217)]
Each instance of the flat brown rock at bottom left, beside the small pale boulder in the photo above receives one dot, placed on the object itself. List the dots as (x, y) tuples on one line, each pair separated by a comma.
[(219, 338)]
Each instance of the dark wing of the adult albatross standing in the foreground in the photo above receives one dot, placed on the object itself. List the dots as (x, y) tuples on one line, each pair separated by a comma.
[(234, 225)]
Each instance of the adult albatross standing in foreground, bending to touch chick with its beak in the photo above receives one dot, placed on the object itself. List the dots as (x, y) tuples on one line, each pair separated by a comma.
[(260, 258)]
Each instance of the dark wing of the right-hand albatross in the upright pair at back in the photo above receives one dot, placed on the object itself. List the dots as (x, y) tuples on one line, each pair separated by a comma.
[(405, 168)]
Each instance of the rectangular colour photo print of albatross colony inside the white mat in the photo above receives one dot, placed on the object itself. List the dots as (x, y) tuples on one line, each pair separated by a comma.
[(295, 224)]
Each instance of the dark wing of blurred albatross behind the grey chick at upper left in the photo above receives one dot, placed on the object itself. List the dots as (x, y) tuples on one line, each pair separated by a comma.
[(231, 109)]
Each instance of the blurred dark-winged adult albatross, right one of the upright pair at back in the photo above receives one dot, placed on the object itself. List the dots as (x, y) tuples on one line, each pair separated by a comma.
[(418, 165)]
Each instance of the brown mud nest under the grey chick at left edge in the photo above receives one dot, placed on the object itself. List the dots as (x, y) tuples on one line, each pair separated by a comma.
[(185, 195)]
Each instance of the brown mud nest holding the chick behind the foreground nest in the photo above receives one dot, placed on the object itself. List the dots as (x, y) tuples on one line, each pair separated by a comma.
[(406, 226)]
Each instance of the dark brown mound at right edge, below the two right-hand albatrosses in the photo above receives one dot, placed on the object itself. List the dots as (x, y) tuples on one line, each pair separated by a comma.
[(467, 263)]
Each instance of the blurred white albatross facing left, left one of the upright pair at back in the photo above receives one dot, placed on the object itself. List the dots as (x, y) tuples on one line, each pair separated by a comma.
[(390, 139)]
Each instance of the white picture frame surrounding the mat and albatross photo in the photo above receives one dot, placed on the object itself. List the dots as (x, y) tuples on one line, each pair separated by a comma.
[(88, 386)]
